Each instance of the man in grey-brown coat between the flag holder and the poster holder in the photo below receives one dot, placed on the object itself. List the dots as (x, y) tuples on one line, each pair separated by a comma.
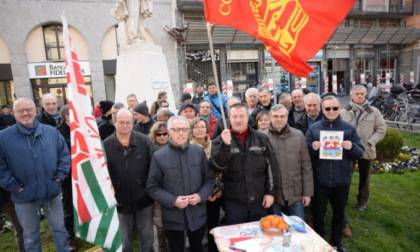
[(295, 185)]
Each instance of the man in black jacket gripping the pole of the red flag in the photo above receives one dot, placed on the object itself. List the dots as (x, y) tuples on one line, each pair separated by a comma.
[(249, 166)]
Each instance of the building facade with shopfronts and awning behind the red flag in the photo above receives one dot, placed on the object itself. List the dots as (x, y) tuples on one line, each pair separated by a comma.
[(377, 37)]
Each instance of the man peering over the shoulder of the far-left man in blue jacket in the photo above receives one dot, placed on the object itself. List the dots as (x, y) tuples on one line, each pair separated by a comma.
[(50, 113)]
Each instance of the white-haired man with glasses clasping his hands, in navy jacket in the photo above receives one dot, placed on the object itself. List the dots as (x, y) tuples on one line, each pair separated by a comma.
[(180, 181)]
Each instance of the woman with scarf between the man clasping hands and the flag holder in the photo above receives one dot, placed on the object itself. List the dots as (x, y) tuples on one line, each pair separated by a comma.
[(199, 130)]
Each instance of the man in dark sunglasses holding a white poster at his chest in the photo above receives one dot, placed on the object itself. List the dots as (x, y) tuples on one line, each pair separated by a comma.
[(332, 173)]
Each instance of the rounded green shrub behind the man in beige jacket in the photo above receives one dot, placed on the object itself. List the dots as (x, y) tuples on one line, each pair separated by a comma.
[(389, 147)]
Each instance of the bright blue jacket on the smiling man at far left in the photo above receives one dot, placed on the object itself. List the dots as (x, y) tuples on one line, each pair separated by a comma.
[(33, 162)]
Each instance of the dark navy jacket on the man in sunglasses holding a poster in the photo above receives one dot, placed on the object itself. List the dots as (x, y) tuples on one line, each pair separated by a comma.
[(332, 173)]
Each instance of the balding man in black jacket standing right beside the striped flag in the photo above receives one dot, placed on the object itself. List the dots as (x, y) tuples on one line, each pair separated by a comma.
[(128, 157)]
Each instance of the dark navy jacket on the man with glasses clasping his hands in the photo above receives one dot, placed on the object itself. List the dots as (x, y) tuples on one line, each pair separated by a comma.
[(177, 171)]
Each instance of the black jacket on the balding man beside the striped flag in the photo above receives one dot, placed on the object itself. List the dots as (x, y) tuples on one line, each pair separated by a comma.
[(128, 169)]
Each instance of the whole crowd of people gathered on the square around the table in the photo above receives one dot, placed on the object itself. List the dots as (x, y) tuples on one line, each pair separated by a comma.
[(180, 170)]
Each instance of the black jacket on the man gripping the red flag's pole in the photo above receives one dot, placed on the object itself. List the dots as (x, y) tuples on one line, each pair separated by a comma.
[(248, 173)]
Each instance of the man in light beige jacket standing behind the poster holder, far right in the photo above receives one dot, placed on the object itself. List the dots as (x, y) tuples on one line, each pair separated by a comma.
[(371, 128)]
